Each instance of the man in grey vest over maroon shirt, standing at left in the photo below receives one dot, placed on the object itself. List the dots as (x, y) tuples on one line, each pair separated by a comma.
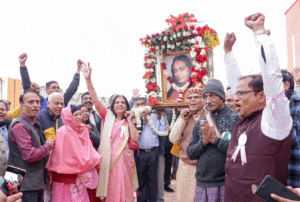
[(28, 147)]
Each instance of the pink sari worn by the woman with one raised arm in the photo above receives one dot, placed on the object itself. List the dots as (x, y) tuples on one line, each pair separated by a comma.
[(121, 175)]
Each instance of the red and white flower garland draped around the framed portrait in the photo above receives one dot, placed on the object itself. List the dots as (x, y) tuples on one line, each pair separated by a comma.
[(198, 41)]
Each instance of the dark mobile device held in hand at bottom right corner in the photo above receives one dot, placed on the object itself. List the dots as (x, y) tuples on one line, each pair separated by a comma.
[(271, 186)]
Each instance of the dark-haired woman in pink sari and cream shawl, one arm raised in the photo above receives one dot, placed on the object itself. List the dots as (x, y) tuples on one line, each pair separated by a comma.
[(117, 177)]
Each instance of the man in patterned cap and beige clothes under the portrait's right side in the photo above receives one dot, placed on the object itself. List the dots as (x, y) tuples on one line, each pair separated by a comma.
[(181, 133)]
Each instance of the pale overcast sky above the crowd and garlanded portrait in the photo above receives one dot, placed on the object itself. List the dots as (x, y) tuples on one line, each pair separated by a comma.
[(55, 34)]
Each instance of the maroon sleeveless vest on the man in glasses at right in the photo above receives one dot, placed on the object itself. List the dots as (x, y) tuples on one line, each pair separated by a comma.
[(265, 156)]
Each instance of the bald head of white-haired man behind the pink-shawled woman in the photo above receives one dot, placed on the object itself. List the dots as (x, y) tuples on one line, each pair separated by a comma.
[(55, 103)]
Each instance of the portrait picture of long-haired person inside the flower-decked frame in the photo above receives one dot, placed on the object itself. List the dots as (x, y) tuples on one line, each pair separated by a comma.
[(180, 68)]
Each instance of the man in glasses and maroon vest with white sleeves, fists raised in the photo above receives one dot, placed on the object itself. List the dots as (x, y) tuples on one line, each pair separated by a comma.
[(261, 141)]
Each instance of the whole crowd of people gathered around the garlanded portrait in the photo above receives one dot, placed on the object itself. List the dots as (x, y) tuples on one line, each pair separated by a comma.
[(228, 140)]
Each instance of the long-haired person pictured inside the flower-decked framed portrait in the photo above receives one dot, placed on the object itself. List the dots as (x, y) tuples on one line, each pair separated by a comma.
[(181, 73)]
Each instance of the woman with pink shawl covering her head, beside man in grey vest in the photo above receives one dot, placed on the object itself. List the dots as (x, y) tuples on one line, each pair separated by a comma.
[(73, 160)]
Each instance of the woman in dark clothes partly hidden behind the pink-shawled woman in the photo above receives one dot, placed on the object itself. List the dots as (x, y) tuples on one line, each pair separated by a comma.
[(94, 134)]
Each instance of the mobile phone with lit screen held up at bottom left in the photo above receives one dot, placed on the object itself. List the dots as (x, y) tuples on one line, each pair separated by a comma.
[(13, 179)]
